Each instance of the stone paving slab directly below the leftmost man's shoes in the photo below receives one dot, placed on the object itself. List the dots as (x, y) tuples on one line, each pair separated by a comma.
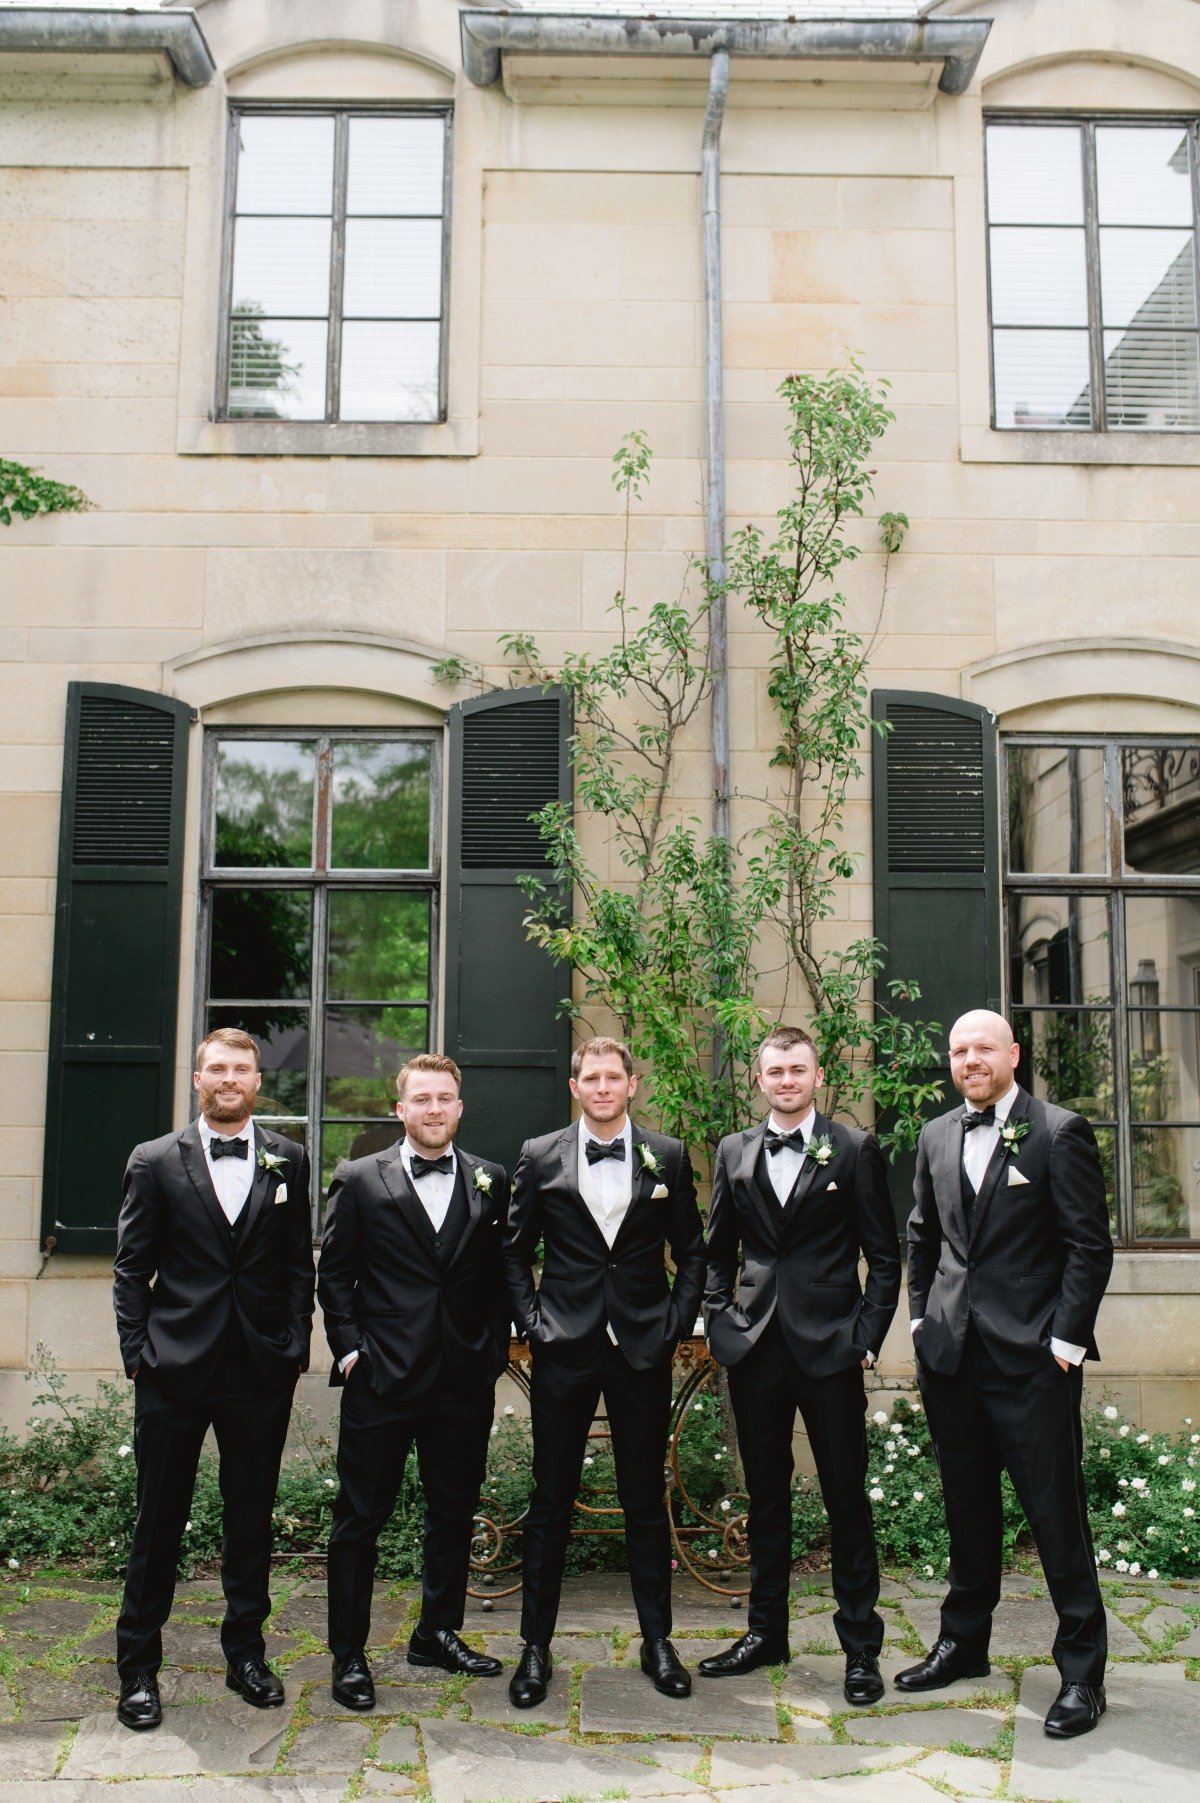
[(210, 1739)]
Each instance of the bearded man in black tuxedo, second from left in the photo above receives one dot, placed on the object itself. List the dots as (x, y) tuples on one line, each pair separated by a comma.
[(417, 1312)]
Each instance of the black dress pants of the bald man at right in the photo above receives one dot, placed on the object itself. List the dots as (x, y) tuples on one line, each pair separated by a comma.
[(1030, 1425)]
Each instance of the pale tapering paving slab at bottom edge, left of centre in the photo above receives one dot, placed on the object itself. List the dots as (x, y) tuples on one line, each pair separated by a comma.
[(473, 1764)]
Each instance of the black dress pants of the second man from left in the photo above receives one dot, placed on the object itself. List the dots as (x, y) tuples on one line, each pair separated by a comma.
[(451, 1431)]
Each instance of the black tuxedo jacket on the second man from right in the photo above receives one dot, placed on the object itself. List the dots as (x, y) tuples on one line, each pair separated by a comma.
[(801, 1261)]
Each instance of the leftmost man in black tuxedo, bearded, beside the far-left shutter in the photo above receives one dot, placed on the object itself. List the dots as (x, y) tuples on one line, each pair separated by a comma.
[(214, 1297)]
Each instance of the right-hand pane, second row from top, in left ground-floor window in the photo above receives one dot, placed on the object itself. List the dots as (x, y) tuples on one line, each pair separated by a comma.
[(379, 946)]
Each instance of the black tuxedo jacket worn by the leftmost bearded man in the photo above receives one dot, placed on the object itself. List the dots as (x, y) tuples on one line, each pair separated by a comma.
[(183, 1288)]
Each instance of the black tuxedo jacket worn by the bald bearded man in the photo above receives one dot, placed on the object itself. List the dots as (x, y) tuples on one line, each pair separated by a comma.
[(1035, 1259)]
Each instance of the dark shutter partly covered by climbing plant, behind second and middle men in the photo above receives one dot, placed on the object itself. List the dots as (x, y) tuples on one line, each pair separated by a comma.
[(509, 758)]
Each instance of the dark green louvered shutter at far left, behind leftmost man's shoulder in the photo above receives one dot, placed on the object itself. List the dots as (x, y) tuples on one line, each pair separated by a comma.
[(116, 953)]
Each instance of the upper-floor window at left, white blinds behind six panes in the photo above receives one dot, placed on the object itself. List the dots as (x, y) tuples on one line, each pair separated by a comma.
[(336, 266)]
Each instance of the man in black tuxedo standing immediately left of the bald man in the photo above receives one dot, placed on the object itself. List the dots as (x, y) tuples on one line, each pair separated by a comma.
[(794, 1204)]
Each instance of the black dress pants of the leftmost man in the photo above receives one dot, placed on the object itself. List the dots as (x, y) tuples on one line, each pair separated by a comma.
[(250, 1420)]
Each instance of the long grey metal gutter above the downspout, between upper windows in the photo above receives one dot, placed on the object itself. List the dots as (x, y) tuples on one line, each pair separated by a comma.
[(952, 42)]
